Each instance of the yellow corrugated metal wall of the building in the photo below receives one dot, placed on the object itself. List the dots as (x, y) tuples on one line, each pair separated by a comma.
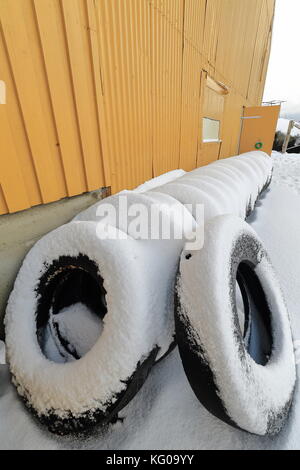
[(110, 92)]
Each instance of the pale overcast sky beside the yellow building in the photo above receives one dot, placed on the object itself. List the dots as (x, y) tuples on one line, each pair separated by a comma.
[(283, 79)]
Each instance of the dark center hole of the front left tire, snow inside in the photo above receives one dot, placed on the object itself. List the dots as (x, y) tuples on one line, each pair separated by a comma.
[(70, 312)]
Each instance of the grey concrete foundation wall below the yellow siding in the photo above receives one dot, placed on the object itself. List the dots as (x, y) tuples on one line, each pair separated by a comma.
[(19, 232)]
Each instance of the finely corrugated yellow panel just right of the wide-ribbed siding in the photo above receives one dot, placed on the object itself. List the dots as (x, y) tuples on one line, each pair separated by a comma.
[(125, 63)]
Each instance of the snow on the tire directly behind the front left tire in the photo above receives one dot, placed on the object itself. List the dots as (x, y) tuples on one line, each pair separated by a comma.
[(164, 252)]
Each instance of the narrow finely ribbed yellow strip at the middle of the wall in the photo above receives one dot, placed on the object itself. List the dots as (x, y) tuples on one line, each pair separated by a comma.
[(166, 70)]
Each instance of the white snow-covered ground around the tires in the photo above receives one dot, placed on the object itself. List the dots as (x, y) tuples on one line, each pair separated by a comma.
[(165, 414)]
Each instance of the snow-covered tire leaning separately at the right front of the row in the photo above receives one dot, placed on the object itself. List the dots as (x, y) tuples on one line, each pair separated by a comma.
[(246, 384)]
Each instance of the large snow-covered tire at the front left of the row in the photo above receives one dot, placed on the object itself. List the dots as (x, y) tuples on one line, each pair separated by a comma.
[(73, 396)]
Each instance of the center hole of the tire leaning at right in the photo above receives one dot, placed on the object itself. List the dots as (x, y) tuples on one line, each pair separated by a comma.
[(253, 312)]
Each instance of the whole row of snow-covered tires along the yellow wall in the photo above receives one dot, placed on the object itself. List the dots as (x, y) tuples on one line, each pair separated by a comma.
[(243, 371)]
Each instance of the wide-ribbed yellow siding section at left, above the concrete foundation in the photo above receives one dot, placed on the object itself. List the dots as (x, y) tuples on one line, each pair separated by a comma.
[(46, 62)]
